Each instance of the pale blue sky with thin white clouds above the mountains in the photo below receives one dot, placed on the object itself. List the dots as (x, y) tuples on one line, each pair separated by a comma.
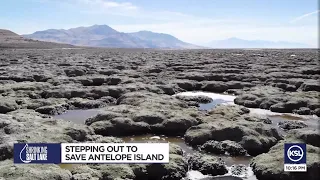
[(194, 21)]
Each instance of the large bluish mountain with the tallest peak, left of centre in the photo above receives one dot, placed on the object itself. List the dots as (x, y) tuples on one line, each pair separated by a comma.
[(105, 36)]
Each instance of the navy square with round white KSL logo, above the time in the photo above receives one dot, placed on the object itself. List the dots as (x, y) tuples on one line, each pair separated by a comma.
[(295, 153)]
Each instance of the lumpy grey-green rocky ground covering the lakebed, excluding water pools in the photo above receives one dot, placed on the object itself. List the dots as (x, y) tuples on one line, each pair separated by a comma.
[(134, 88)]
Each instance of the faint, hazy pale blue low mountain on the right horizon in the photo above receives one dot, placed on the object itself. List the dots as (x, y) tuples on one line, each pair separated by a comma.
[(241, 43)]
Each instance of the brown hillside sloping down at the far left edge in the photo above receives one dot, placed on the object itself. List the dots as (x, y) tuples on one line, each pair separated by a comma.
[(9, 39)]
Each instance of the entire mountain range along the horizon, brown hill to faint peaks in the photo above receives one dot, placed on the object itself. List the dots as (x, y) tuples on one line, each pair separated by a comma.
[(105, 36)]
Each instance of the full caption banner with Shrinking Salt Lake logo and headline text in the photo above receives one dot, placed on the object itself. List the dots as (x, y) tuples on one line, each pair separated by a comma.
[(70, 153)]
